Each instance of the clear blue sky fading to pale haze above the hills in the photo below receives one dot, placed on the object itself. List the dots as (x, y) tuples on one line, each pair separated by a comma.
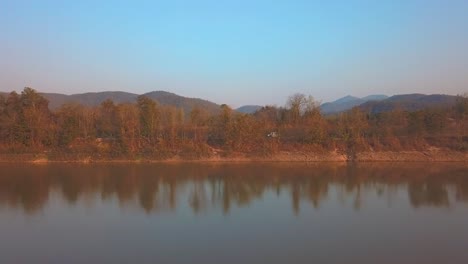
[(236, 52)]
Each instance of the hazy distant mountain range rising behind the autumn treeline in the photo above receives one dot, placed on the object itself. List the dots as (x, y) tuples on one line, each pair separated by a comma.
[(372, 103)]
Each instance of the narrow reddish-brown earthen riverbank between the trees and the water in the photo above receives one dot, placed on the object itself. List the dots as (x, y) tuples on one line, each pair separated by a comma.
[(431, 154)]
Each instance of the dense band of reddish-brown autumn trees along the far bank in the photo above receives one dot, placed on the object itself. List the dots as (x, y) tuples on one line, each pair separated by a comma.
[(147, 130)]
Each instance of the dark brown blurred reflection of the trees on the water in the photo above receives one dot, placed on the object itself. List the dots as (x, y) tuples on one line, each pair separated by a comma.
[(163, 187)]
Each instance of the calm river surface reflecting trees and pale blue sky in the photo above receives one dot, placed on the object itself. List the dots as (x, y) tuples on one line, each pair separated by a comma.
[(234, 213)]
